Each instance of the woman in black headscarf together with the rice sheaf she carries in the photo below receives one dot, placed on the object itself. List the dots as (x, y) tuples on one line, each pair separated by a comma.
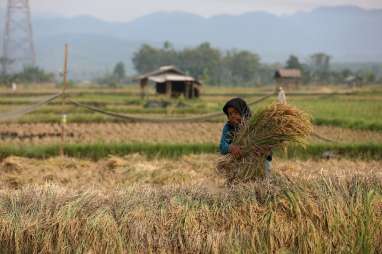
[(247, 140)]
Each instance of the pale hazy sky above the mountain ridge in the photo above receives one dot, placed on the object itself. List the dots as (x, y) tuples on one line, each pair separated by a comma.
[(125, 10)]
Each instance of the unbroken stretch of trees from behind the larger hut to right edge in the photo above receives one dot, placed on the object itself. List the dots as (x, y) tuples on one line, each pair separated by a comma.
[(239, 67)]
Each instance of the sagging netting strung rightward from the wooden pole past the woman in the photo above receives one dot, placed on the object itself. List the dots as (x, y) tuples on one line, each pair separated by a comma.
[(161, 120)]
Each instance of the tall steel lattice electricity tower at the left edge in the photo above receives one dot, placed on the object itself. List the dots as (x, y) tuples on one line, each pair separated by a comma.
[(18, 48)]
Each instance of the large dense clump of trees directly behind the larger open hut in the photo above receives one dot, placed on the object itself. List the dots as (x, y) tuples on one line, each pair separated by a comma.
[(204, 62)]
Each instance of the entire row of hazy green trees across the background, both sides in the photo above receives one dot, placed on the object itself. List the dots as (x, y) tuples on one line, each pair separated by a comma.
[(212, 66)]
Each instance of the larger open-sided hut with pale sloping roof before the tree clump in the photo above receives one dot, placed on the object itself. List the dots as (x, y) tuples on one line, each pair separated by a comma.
[(171, 81)]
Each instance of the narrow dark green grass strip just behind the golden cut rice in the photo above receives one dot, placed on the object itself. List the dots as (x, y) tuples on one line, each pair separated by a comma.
[(98, 151)]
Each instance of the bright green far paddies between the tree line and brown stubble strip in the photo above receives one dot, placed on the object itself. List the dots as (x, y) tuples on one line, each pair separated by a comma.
[(359, 110)]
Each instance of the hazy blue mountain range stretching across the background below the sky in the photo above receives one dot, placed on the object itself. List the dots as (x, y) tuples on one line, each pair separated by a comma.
[(347, 33)]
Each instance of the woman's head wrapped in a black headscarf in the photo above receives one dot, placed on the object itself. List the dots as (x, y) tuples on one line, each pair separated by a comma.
[(236, 110)]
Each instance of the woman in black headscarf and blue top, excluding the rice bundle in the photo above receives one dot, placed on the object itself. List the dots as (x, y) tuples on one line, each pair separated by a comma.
[(237, 111)]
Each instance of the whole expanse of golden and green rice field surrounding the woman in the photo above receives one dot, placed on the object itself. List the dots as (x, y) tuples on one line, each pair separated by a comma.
[(125, 187)]
